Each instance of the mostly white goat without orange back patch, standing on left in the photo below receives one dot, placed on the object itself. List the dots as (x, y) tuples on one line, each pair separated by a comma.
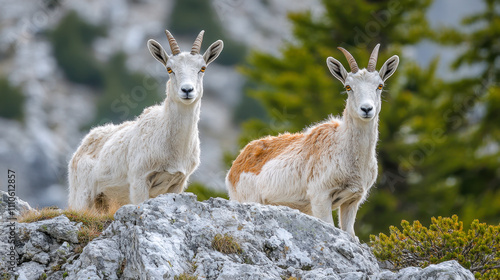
[(154, 154)]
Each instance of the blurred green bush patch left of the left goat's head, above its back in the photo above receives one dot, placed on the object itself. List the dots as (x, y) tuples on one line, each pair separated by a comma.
[(123, 94)]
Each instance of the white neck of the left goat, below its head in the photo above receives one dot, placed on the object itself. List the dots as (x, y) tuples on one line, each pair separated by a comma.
[(181, 121)]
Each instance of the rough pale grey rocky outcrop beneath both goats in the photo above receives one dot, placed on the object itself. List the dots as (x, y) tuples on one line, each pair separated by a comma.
[(173, 235)]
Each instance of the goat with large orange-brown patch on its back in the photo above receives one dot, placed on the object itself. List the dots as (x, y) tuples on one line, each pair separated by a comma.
[(330, 165)]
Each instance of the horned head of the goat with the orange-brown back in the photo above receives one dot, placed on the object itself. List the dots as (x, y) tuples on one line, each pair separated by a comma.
[(364, 87)]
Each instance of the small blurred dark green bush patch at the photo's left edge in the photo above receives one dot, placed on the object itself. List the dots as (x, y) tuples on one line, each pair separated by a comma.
[(12, 100)]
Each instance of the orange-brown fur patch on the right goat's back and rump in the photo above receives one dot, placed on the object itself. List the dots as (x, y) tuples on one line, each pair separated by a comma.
[(255, 155)]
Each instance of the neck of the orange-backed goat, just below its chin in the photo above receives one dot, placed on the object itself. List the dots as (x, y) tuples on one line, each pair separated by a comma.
[(359, 137)]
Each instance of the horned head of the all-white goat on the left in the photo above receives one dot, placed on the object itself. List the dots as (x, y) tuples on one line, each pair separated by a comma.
[(186, 69)]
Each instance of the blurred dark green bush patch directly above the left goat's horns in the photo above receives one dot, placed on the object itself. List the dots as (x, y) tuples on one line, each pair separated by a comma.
[(189, 17)]
